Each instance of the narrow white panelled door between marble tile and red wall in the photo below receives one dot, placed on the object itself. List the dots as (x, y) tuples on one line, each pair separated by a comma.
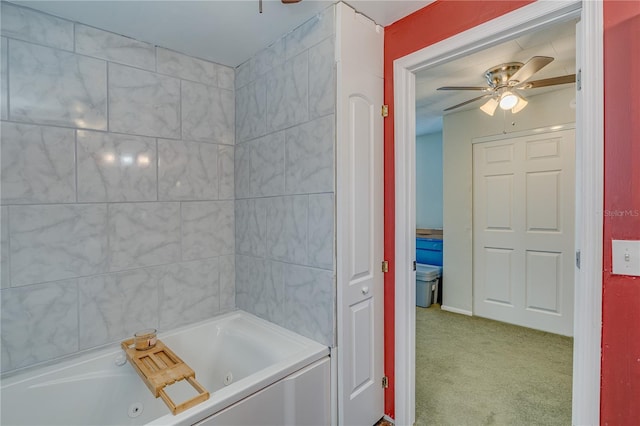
[(359, 192)]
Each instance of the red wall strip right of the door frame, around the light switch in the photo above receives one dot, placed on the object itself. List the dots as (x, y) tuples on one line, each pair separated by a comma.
[(620, 399)]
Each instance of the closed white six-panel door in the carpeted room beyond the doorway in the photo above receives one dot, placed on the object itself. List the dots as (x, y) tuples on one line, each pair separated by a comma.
[(523, 230)]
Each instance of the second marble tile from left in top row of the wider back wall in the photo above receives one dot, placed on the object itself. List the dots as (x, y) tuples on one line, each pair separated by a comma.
[(114, 47)]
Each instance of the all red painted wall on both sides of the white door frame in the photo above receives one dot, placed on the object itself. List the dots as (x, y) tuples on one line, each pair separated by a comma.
[(620, 398)]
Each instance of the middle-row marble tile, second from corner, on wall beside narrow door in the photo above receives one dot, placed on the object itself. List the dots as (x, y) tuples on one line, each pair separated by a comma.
[(267, 165)]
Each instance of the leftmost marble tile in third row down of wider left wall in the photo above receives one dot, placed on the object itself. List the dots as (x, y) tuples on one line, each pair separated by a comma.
[(38, 164)]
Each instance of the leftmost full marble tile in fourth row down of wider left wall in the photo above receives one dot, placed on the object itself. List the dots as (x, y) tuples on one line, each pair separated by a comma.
[(56, 242)]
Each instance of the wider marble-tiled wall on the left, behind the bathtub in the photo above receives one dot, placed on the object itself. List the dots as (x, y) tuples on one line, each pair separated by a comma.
[(117, 187)]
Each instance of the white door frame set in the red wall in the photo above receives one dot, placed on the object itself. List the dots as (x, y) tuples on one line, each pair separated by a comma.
[(589, 138)]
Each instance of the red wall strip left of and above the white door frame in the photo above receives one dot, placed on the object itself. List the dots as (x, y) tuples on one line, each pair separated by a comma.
[(433, 23)]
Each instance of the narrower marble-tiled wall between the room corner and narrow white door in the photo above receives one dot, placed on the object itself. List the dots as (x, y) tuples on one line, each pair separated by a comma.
[(284, 181)]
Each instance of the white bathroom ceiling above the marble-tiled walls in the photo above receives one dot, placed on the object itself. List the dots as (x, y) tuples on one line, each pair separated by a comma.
[(224, 31)]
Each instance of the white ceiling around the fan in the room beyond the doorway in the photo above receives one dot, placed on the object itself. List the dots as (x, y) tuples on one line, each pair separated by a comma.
[(558, 42)]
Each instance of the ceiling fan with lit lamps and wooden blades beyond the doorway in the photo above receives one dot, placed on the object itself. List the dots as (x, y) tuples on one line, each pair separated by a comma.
[(506, 80)]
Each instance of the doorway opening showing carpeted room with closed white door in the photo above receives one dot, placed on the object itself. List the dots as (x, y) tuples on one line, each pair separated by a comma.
[(520, 167)]
